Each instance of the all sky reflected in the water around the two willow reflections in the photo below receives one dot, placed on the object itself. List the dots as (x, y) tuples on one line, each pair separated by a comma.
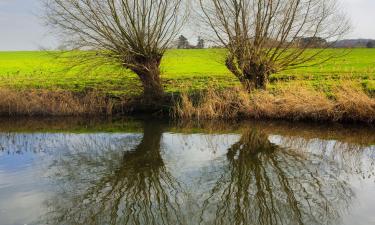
[(195, 159)]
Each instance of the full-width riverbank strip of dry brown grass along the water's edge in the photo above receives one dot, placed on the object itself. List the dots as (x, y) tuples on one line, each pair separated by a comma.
[(346, 103)]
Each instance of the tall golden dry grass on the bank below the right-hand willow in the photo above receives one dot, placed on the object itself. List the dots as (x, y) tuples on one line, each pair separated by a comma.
[(293, 103)]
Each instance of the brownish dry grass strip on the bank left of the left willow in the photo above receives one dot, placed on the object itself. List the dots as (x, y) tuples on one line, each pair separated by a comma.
[(52, 103)]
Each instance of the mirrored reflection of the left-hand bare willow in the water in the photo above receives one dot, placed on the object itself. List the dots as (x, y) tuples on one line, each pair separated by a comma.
[(134, 187)]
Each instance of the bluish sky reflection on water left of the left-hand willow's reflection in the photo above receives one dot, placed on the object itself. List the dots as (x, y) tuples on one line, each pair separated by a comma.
[(24, 160)]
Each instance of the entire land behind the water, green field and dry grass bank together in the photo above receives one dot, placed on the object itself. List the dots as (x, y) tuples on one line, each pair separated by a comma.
[(197, 87)]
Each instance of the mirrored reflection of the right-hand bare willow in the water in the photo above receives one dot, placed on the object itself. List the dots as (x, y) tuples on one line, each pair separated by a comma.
[(266, 184)]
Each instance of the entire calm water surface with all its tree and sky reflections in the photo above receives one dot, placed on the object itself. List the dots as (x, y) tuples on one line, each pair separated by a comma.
[(121, 171)]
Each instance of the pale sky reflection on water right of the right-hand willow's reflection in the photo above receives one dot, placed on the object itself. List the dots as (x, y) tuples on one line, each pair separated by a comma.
[(357, 161)]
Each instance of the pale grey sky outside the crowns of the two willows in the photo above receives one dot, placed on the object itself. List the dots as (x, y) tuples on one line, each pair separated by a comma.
[(21, 27)]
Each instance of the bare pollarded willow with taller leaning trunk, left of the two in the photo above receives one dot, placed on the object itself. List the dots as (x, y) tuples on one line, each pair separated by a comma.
[(133, 33)]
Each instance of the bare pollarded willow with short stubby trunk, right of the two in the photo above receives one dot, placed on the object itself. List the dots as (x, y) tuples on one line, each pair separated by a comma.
[(268, 36)]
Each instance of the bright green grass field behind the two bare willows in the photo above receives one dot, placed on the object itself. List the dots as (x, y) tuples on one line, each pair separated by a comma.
[(190, 69)]
